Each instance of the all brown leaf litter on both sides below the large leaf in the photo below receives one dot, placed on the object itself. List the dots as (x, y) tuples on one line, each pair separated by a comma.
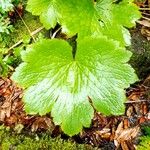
[(107, 132)]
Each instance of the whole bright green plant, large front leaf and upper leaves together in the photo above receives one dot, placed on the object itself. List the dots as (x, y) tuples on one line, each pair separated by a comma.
[(71, 79)]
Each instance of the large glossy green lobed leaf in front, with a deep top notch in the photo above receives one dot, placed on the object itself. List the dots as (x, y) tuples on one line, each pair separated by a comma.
[(56, 82)]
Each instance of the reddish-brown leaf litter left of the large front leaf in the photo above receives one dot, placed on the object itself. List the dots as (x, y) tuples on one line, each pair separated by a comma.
[(12, 110)]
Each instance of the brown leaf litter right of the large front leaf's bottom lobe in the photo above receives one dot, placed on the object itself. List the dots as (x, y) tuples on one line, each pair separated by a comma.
[(121, 132)]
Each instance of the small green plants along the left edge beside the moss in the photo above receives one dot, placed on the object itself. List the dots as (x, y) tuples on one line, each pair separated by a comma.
[(6, 28)]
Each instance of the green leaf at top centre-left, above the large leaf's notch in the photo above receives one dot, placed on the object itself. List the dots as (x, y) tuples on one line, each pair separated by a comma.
[(74, 16)]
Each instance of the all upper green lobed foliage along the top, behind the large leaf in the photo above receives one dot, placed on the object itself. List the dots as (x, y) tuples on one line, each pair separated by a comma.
[(87, 17)]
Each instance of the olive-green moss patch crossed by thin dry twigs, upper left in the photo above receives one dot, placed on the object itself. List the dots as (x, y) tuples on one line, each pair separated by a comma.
[(20, 31)]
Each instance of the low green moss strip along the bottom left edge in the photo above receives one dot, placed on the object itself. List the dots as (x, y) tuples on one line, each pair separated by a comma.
[(11, 140)]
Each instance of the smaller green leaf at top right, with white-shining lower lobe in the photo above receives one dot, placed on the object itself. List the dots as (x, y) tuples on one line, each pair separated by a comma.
[(115, 17)]
